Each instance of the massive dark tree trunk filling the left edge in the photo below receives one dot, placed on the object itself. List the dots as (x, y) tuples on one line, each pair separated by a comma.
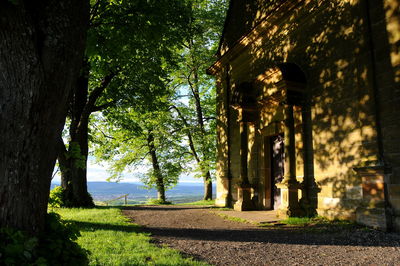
[(41, 48)]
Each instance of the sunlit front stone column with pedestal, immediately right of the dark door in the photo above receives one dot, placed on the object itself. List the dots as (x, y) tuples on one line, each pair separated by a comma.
[(289, 185)]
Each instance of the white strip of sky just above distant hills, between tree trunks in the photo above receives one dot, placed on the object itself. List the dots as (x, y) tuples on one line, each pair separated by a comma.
[(97, 172)]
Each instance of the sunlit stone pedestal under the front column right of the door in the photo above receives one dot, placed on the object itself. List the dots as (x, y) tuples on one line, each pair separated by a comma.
[(290, 200)]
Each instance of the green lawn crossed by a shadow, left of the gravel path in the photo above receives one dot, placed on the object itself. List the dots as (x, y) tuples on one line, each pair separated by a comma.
[(112, 240)]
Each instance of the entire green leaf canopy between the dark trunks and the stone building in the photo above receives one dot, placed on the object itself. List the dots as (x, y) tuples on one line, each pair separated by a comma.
[(158, 65)]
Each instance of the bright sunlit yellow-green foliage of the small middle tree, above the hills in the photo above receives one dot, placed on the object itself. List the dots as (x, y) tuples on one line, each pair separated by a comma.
[(130, 149)]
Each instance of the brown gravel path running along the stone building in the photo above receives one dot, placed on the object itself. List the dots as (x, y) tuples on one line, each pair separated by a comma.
[(197, 232)]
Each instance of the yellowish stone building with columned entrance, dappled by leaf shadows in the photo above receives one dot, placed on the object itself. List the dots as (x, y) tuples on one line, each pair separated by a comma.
[(309, 109)]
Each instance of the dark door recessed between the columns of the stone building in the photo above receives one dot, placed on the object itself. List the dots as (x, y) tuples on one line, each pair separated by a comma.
[(277, 168)]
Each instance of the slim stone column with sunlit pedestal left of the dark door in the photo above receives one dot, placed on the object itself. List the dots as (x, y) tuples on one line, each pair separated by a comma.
[(244, 189)]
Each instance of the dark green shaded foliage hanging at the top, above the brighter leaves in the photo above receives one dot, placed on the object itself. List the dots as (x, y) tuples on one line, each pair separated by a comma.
[(136, 40)]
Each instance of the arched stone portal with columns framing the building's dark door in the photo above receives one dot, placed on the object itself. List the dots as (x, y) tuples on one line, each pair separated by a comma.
[(282, 105)]
